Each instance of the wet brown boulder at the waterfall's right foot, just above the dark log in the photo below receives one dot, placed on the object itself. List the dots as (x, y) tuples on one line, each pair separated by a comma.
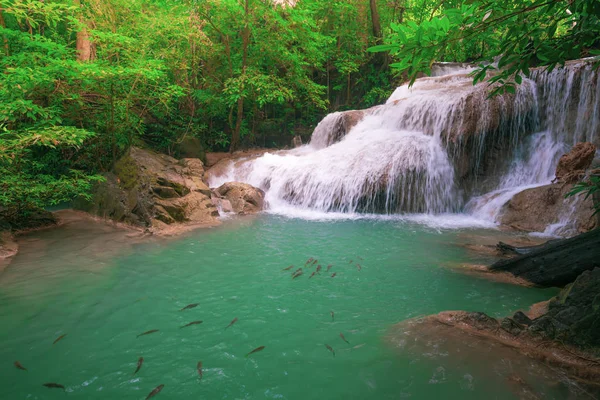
[(534, 209)]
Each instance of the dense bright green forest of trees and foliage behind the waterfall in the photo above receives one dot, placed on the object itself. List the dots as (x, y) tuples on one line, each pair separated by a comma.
[(83, 80)]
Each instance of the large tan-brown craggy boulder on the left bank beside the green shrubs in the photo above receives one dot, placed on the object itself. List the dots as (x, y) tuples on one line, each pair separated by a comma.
[(154, 191)]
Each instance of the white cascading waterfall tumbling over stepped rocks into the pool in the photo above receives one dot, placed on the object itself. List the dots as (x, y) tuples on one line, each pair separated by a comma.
[(440, 146)]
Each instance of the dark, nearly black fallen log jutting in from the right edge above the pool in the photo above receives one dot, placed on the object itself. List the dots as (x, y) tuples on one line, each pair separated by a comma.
[(555, 263)]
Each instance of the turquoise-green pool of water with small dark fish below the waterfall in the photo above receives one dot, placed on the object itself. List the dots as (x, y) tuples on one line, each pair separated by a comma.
[(85, 282)]
